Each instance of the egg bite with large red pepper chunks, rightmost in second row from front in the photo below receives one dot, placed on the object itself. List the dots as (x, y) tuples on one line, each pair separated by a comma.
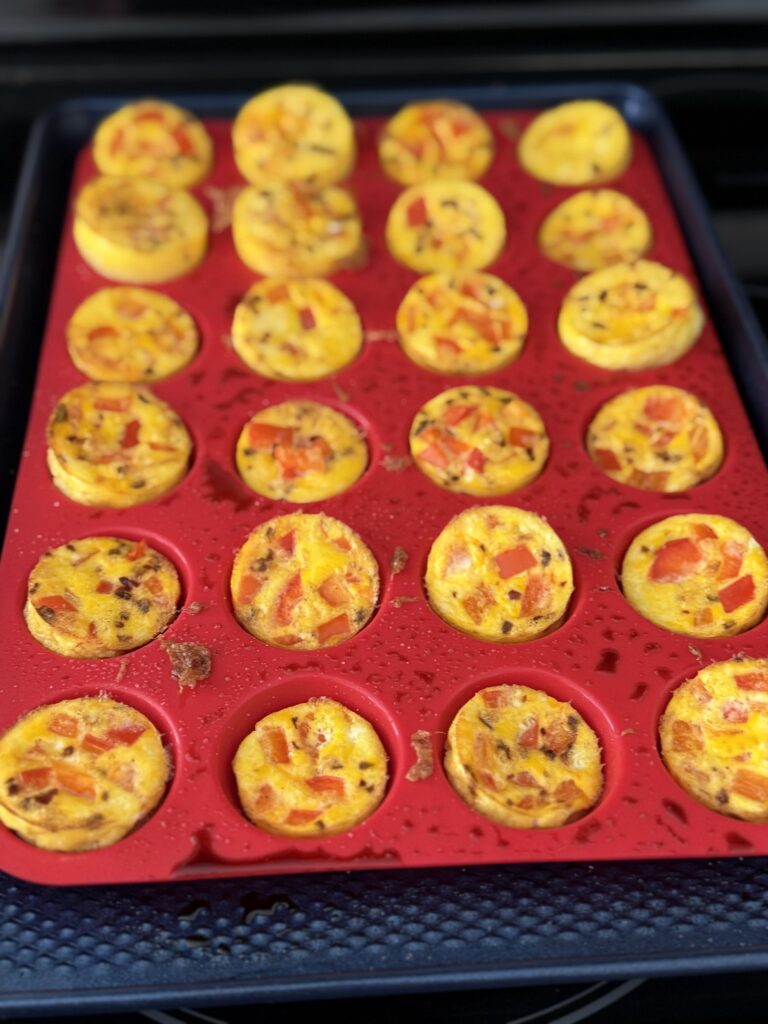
[(703, 576)]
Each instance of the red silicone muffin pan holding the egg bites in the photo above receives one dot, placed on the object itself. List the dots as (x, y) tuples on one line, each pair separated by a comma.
[(407, 670)]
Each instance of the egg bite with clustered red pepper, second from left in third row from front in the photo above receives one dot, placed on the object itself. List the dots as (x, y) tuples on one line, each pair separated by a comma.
[(301, 452)]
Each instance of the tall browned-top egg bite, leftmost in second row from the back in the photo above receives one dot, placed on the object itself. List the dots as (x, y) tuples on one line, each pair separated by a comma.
[(140, 231)]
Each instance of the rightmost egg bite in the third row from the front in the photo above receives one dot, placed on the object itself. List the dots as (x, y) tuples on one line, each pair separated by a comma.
[(656, 439)]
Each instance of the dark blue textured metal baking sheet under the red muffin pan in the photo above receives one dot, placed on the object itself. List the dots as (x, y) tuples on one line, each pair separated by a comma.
[(102, 950)]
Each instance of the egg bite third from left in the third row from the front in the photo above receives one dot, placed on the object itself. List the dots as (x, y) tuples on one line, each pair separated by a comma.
[(480, 441)]
